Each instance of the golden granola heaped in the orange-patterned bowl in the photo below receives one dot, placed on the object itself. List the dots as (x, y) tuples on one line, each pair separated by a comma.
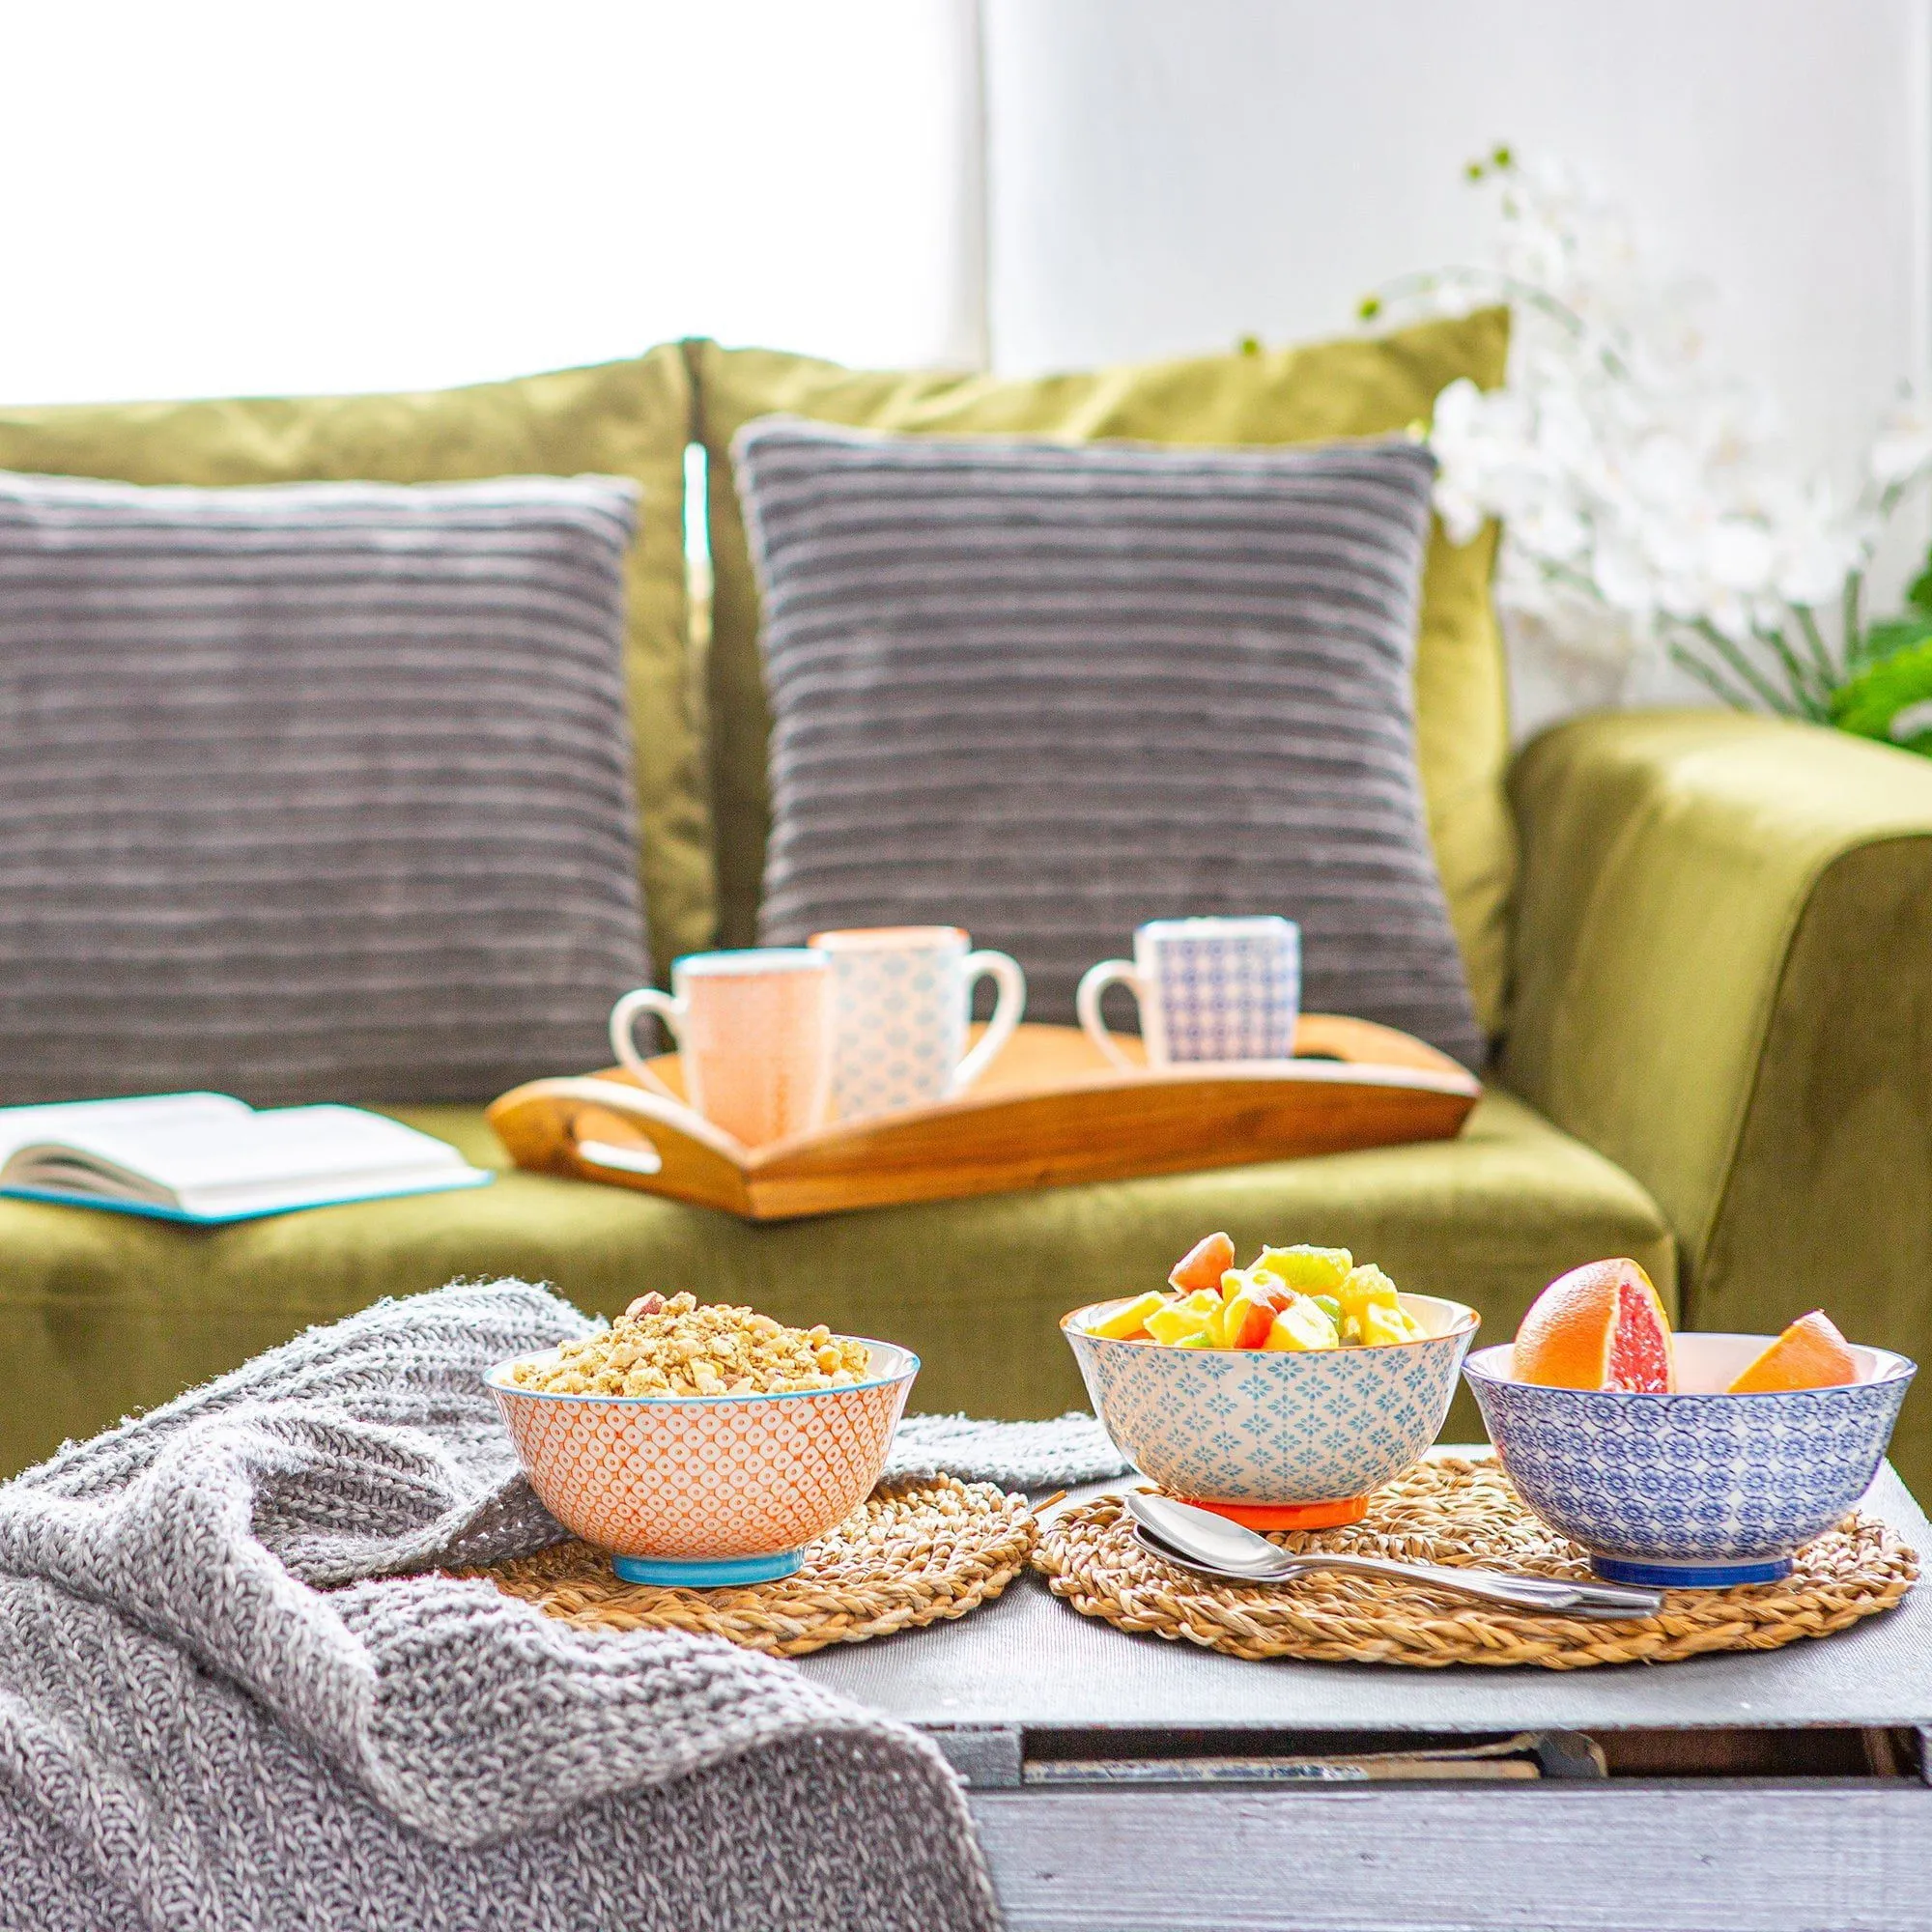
[(681, 1348)]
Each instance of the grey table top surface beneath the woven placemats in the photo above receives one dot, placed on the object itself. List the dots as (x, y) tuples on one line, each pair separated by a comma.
[(1031, 1661)]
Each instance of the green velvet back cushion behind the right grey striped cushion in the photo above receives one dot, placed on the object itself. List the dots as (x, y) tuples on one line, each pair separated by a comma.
[(1299, 395)]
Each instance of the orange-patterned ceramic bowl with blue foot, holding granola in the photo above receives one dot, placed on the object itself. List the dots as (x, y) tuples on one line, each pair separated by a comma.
[(708, 1489)]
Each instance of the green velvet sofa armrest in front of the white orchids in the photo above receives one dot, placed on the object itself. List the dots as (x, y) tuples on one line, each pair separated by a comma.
[(1724, 982)]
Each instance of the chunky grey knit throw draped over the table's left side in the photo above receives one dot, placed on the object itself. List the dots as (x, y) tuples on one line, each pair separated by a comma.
[(215, 1717)]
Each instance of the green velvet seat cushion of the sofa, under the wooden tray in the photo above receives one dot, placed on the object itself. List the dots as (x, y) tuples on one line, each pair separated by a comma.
[(103, 1313)]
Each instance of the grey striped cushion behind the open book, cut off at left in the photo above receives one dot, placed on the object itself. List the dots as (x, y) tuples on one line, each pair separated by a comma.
[(316, 791)]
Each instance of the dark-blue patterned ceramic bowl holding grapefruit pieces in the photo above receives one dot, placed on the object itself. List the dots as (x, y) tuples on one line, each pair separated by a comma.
[(1691, 1491)]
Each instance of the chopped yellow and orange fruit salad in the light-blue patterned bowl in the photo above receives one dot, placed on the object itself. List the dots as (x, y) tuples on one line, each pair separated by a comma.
[(1288, 1299)]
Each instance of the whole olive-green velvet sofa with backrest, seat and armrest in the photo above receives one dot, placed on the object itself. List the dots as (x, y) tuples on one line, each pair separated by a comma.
[(1699, 938)]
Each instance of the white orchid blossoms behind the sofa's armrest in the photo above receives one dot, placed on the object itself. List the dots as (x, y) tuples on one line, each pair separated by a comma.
[(1647, 499)]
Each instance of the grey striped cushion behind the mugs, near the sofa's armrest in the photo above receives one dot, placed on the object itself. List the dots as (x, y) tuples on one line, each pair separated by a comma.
[(1048, 693)]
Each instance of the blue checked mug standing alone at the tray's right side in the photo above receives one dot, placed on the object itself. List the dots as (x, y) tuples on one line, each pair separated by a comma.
[(1208, 990)]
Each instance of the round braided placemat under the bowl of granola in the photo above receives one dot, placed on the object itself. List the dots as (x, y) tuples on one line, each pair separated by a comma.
[(911, 1554)]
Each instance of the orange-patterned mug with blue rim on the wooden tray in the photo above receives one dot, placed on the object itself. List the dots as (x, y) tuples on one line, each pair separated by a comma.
[(754, 1035)]
